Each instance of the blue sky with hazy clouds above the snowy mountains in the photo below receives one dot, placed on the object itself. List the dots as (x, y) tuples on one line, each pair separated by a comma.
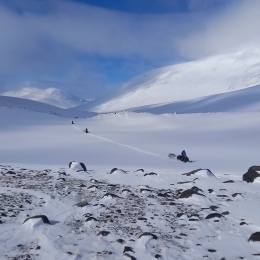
[(90, 47)]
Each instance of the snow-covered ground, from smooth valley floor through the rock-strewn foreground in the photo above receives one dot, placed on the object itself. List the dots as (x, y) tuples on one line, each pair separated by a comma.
[(131, 190)]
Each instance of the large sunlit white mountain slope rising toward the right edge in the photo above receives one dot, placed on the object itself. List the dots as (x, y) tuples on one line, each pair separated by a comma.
[(195, 79)]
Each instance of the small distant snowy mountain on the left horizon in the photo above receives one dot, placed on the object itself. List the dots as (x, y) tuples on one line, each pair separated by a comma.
[(52, 96)]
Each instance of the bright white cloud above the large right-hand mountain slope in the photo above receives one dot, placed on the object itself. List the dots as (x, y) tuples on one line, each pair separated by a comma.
[(236, 27)]
